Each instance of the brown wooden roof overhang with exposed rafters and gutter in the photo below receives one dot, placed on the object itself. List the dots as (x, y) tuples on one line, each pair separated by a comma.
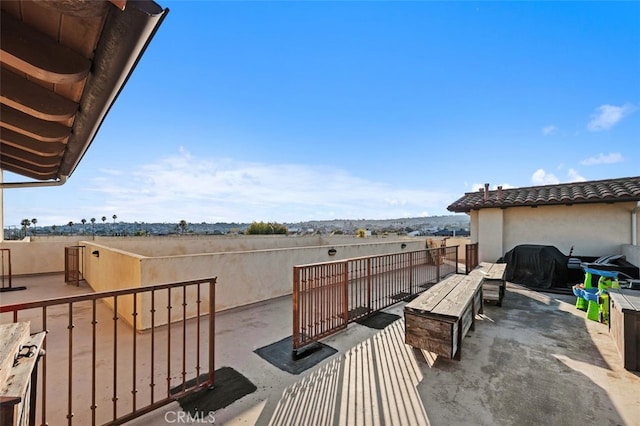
[(63, 64)]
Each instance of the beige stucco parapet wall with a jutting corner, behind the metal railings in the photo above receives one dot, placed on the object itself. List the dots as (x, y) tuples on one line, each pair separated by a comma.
[(242, 277)]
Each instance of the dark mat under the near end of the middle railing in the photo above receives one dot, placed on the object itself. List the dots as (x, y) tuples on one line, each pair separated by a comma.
[(282, 356)]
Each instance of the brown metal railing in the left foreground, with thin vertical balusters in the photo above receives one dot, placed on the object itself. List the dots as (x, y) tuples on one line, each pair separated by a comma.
[(113, 356)]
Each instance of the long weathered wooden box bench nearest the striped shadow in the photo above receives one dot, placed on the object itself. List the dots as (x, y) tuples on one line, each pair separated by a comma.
[(438, 319)]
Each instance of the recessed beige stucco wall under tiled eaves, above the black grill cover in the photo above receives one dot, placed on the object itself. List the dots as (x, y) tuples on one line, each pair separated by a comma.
[(593, 229)]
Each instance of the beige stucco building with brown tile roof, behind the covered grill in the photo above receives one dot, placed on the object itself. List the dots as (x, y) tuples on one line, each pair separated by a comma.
[(594, 217)]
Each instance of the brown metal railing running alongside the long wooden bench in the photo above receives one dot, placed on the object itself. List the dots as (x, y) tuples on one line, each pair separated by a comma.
[(327, 296)]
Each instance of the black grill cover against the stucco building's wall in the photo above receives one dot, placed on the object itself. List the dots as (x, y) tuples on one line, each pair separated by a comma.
[(537, 266)]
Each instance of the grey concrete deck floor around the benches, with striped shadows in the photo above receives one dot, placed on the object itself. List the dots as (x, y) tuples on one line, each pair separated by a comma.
[(535, 360)]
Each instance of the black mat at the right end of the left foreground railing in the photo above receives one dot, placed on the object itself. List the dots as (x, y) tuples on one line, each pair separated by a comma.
[(229, 386)]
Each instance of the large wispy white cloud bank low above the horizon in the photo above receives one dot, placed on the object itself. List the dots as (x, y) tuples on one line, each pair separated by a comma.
[(204, 189)]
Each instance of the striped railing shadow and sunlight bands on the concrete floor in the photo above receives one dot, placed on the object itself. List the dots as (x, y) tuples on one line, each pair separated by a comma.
[(372, 383)]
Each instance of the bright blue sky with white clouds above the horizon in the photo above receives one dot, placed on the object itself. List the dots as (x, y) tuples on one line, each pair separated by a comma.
[(294, 111)]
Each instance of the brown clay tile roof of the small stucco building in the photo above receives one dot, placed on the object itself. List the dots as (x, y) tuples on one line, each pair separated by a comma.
[(599, 191)]
